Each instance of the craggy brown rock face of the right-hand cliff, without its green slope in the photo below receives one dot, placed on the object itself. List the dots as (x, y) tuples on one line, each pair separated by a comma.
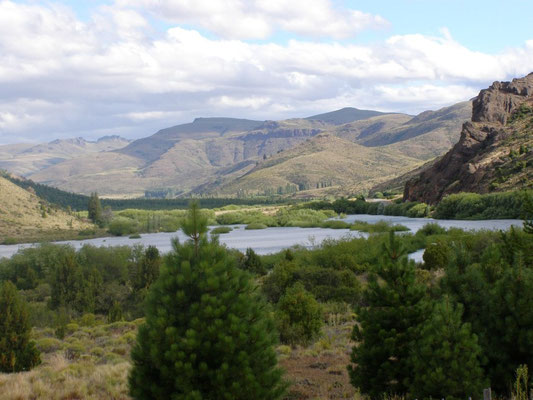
[(471, 164)]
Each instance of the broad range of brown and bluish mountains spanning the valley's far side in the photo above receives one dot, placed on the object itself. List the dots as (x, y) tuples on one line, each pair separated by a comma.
[(227, 155)]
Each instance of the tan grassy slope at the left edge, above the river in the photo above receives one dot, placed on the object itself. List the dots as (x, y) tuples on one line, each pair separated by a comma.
[(24, 215)]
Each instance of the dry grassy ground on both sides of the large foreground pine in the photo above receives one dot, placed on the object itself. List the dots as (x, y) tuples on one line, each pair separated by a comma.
[(92, 362)]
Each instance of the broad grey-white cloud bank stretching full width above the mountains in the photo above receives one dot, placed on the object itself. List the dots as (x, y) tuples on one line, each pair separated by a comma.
[(114, 73)]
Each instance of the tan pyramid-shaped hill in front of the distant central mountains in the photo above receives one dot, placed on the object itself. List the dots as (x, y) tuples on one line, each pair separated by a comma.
[(322, 164)]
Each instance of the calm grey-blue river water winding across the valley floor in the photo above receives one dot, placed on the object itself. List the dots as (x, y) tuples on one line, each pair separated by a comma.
[(271, 240)]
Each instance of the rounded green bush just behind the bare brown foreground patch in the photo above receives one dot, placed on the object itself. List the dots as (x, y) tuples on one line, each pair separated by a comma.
[(299, 316)]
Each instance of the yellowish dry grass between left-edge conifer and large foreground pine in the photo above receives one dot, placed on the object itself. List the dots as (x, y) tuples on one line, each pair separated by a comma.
[(91, 362)]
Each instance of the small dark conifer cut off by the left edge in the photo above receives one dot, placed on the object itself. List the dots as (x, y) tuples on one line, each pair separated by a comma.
[(17, 352)]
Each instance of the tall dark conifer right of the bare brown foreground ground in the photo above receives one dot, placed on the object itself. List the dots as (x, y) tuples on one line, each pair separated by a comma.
[(388, 325)]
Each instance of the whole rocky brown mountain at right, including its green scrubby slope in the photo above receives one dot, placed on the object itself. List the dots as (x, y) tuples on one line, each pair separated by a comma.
[(494, 152)]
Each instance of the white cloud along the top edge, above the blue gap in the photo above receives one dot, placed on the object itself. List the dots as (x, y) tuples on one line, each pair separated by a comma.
[(258, 19)]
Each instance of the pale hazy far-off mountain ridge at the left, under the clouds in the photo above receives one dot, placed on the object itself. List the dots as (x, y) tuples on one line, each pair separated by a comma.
[(25, 159)]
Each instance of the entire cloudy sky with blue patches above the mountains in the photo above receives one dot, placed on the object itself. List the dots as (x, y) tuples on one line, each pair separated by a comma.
[(91, 68)]
